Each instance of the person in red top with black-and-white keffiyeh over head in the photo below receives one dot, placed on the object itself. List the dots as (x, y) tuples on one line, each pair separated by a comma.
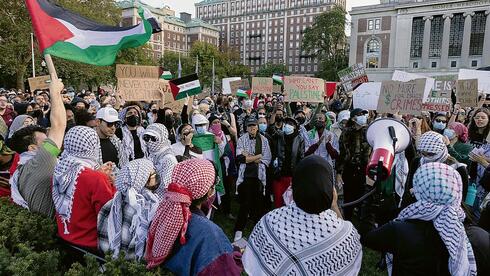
[(80, 187)]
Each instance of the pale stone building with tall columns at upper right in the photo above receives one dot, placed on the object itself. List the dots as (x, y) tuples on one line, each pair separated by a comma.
[(429, 37)]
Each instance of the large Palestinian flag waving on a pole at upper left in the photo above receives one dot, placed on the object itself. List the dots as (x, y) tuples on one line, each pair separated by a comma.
[(70, 36)]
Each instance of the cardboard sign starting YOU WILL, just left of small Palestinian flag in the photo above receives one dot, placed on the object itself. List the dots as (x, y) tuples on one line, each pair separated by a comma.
[(138, 83)]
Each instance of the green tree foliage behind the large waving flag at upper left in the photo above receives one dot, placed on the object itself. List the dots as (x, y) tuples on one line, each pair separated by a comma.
[(15, 45)]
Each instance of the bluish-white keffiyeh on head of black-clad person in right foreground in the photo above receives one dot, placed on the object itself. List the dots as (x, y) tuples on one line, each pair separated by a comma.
[(438, 189)]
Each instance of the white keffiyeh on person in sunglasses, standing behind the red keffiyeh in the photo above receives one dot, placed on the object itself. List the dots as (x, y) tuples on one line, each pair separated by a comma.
[(162, 155)]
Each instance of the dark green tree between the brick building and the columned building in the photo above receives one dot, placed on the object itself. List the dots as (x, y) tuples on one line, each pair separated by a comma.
[(326, 41)]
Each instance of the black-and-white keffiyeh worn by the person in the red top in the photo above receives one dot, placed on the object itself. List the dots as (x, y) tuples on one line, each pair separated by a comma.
[(82, 149)]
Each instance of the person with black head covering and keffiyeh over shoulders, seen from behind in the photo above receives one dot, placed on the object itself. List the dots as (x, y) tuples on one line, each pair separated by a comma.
[(309, 229)]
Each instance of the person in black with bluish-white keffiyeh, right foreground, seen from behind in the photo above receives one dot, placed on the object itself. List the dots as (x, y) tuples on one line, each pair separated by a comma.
[(428, 237)]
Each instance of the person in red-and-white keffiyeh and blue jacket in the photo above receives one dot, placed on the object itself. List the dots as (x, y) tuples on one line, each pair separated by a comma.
[(203, 248)]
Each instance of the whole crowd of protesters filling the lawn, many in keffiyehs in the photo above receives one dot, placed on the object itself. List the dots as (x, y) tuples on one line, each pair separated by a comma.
[(144, 180)]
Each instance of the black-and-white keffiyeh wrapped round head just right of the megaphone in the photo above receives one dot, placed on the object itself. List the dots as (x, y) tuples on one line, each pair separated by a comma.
[(433, 142)]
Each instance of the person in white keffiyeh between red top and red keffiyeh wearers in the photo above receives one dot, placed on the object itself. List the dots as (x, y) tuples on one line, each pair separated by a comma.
[(123, 222)]
